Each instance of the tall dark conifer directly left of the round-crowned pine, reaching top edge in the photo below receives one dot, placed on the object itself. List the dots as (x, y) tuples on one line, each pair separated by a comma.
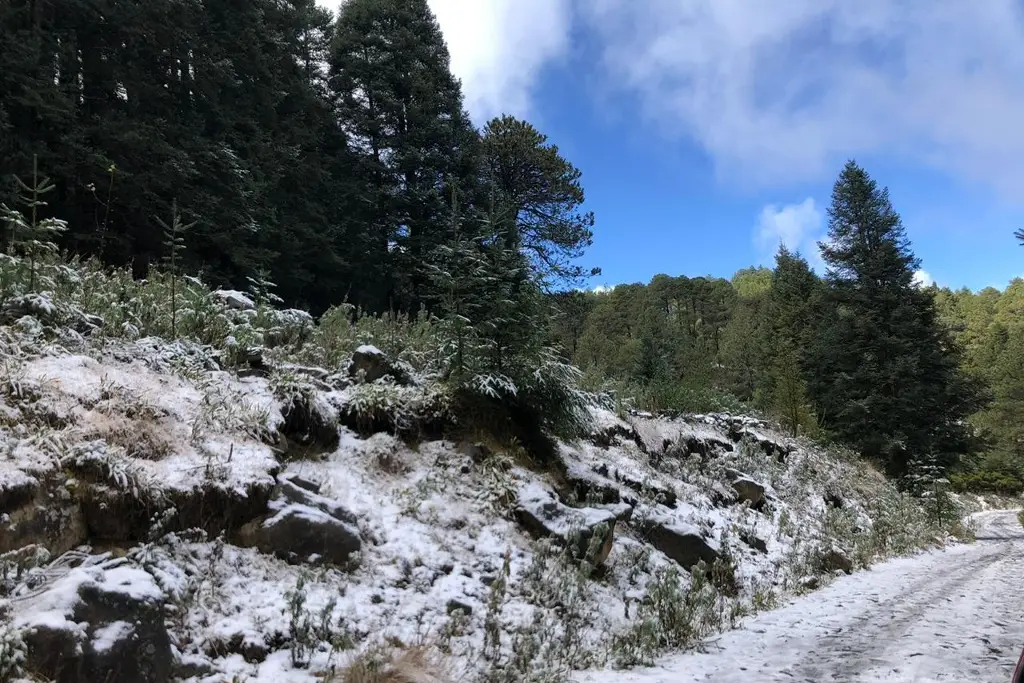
[(403, 112)]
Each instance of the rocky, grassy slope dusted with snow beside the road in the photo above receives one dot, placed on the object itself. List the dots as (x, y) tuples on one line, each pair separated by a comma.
[(255, 508)]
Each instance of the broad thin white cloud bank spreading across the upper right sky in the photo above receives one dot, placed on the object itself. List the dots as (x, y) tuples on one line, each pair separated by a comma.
[(779, 93)]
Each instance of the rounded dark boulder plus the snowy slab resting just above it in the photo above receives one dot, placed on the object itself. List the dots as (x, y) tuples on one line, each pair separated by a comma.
[(305, 527)]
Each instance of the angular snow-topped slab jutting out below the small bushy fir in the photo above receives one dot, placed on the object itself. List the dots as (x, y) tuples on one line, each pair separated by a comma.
[(540, 513)]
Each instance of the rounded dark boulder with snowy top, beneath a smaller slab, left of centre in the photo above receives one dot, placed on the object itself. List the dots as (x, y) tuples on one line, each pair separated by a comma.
[(304, 534)]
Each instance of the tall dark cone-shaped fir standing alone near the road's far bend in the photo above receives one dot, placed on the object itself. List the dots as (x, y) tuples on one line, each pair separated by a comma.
[(886, 375)]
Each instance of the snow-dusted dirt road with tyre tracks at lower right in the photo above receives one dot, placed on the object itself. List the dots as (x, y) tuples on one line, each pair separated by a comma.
[(954, 615)]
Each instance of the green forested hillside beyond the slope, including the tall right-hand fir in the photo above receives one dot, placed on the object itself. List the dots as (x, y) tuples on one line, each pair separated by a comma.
[(863, 354)]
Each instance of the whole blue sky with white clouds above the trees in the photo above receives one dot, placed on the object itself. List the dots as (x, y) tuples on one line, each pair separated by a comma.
[(711, 132)]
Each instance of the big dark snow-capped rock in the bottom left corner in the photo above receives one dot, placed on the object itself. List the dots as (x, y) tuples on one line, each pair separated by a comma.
[(102, 623)]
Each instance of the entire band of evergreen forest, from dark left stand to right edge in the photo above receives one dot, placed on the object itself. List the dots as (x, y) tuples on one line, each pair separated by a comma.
[(274, 147)]
